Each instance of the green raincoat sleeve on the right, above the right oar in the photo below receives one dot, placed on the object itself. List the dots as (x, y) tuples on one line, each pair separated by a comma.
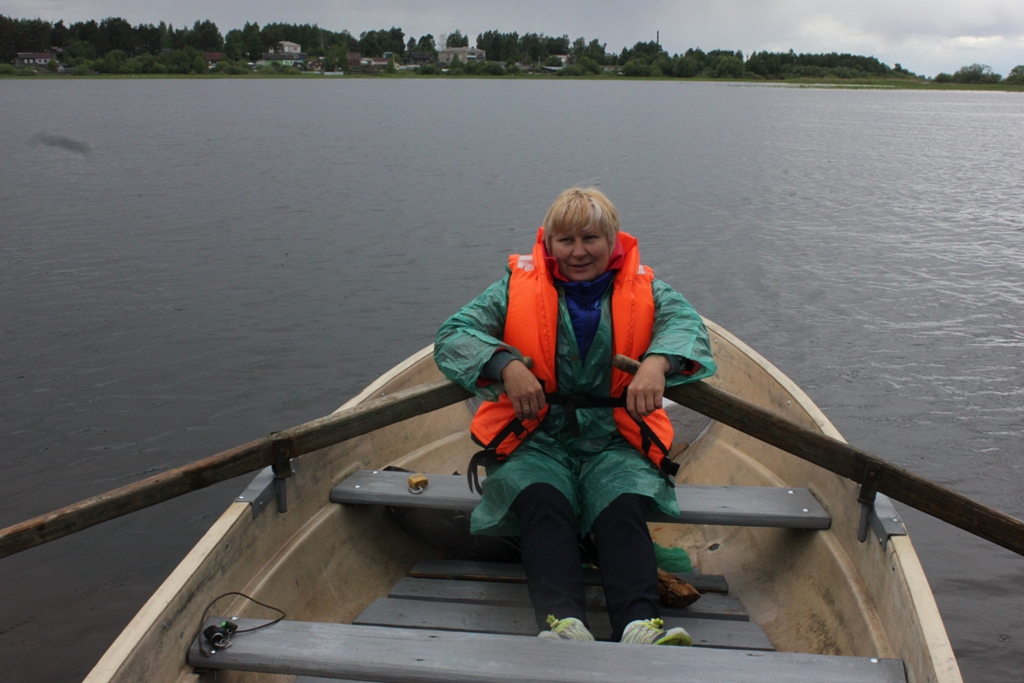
[(679, 331)]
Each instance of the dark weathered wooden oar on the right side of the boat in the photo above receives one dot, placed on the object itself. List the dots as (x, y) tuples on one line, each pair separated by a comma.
[(847, 461)]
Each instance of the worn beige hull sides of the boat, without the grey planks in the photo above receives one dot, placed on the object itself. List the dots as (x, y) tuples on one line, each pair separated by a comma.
[(819, 592)]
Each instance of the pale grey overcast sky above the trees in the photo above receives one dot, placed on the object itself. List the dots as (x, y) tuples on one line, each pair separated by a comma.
[(925, 36)]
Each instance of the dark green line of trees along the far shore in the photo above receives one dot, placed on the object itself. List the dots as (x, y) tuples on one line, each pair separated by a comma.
[(113, 46)]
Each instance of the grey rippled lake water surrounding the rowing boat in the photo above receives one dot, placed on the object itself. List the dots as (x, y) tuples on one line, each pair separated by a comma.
[(229, 259)]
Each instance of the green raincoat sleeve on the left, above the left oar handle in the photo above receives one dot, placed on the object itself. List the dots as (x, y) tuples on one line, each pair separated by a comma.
[(467, 341)]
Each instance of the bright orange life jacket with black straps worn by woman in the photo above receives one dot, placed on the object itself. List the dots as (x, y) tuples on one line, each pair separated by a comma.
[(531, 327)]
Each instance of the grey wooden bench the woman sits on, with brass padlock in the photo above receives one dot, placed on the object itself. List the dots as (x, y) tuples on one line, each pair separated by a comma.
[(734, 506)]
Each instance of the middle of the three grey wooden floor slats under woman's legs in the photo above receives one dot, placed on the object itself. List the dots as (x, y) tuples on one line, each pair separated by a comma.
[(517, 595)]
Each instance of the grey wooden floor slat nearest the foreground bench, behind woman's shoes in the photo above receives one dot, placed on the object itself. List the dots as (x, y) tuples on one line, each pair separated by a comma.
[(522, 622)]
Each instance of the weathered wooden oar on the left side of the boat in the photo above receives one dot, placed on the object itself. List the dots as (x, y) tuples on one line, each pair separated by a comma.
[(305, 439)]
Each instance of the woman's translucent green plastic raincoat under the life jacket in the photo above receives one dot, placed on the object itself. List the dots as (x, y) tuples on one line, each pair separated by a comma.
[(594, 468)]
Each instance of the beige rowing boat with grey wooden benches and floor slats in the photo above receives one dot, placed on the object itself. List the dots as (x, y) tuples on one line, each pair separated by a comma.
[(367, 601)]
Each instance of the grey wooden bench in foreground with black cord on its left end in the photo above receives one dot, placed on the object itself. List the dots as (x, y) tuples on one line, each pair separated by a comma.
[(407, 656)]
